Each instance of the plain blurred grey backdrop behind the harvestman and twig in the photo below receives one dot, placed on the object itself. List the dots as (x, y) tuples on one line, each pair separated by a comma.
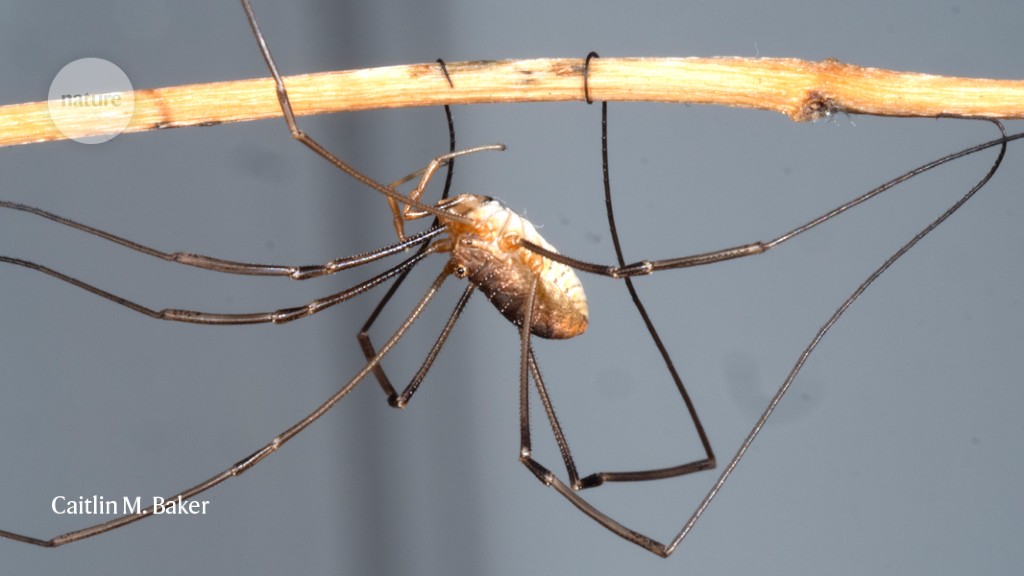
[(897, 450)]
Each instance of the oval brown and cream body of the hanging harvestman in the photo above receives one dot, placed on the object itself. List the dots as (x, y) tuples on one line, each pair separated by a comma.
[(488, 254)]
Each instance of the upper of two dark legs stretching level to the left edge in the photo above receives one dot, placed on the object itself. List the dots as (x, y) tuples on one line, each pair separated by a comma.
[(233, 267)]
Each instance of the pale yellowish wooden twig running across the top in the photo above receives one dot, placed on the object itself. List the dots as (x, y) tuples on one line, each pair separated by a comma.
[(803, 91)]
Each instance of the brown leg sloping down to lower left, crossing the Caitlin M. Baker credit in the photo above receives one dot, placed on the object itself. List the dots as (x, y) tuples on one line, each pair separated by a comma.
[(251, 461)]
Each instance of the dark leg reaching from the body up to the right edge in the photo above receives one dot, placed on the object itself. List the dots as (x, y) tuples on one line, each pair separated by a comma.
[(645, 268)]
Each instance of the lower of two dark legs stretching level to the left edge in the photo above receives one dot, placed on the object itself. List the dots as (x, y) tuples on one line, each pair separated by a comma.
[(193, 317)]
